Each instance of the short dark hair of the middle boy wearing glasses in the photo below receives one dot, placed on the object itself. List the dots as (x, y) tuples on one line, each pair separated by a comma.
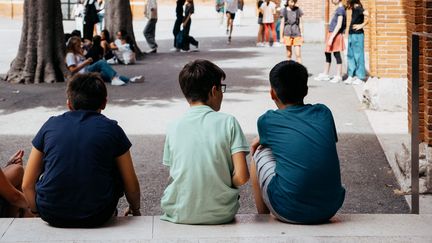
[(197, 79)]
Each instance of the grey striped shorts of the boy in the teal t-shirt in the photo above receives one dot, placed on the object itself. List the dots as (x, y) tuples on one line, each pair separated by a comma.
[(265, 167)]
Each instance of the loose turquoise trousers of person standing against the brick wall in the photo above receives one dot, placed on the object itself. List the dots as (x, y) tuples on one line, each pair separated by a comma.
[(356, 65)]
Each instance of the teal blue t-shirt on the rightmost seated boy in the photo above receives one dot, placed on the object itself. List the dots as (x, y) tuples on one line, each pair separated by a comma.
[(307, 186)]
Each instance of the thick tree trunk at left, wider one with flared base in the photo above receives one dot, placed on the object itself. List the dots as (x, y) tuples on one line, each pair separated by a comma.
[(41, 50)]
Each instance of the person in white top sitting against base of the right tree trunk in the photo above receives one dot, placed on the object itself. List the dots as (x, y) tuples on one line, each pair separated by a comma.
[(123, 48)]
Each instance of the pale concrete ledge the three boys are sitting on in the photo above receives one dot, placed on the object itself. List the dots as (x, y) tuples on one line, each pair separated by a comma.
[(246, 228)]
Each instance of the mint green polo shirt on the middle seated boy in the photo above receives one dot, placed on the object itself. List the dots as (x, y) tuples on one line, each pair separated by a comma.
[(198, 151)]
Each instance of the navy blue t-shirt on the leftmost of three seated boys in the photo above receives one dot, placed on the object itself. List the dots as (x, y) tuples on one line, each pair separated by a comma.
[(80, 176)]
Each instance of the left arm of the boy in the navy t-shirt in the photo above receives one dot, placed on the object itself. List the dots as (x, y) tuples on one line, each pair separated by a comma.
[(31, 175)]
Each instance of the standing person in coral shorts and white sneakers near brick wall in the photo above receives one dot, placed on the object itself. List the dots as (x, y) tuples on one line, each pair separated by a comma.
[(334, 43)]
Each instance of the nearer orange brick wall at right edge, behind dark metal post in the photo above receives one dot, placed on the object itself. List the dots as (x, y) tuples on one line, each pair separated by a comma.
[(420, 20)]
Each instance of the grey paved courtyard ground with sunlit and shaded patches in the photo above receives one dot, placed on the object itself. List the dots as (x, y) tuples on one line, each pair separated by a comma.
[(144, 109)]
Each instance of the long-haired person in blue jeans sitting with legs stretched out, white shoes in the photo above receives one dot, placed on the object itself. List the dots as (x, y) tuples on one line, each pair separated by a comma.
[(77, 63)]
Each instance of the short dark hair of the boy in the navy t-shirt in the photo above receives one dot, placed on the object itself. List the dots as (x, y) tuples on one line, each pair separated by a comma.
[(86, 91)]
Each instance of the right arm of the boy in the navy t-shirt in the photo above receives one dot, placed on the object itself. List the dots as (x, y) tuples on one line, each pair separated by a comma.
[(131, 184)]
